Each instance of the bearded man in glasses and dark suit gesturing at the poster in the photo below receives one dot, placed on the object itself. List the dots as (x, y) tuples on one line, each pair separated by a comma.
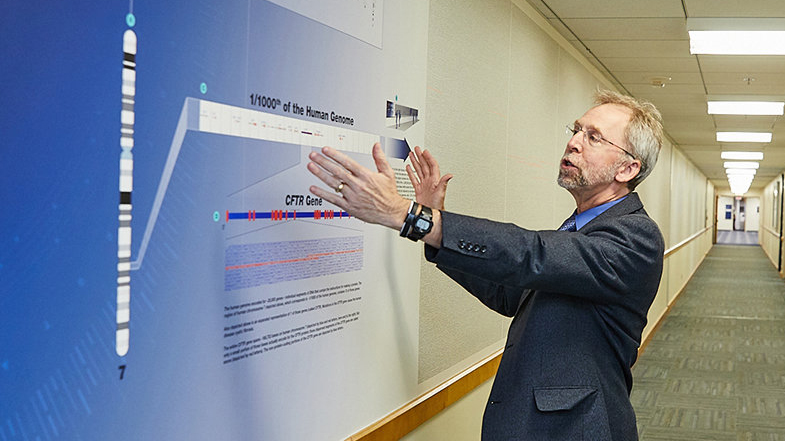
[(578, 299)]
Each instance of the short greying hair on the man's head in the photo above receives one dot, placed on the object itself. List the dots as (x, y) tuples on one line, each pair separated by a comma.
[(643, 133)]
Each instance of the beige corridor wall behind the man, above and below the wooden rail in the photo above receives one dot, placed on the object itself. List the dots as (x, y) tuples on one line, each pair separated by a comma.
[(501, 86)]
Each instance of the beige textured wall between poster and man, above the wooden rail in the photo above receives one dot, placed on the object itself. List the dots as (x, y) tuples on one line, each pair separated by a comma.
[(500, 91)]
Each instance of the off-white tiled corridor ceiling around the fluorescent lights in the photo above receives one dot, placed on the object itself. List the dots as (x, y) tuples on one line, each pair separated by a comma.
[(644, 49)]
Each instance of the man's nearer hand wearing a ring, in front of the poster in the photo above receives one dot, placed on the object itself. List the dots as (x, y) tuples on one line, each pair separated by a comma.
[(367, 195)]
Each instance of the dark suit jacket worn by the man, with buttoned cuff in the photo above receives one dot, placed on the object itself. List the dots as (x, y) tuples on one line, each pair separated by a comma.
[(579, 302)]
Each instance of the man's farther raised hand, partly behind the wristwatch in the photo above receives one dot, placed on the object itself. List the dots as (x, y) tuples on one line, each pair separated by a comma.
[(430, 187)]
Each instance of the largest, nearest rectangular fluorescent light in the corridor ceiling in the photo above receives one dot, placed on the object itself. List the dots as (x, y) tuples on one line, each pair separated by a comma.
[(737, 42)]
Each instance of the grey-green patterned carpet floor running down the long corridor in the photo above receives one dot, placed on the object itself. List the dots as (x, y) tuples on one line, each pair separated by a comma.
[(715, 370)]
